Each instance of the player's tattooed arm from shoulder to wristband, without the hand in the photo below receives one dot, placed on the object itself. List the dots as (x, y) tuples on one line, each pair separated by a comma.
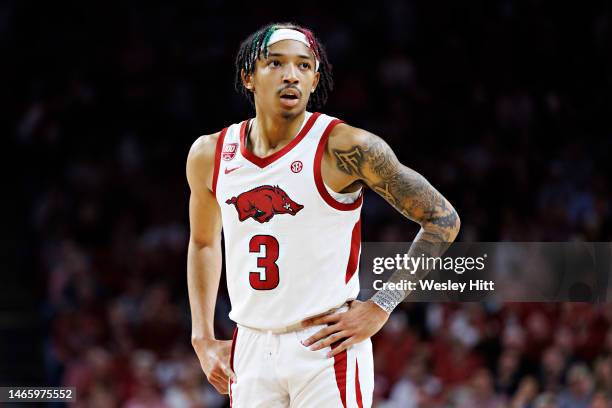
[(361, 157)]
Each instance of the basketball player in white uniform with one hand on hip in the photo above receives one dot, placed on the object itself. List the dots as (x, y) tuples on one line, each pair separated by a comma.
[(286, 188)]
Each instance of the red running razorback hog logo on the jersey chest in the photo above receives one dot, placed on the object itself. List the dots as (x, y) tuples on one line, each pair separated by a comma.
[(261, 203)]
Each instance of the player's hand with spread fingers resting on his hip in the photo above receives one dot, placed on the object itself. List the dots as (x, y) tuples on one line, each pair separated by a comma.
[(360, 322)]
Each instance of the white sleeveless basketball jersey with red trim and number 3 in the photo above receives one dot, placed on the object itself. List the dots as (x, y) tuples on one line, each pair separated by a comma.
[(291, 249)]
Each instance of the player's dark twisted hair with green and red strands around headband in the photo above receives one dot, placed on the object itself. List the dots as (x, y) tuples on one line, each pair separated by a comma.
[(257, 44)]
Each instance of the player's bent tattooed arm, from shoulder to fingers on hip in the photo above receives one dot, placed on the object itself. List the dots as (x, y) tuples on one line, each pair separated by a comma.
[(355, 157)]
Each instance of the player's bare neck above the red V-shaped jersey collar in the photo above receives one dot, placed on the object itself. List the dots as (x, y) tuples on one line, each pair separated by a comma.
[(269, 132)]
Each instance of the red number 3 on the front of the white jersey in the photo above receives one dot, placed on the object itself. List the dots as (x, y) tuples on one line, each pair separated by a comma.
[(267, 261)]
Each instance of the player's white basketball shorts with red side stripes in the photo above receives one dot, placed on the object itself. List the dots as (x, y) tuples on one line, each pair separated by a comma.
[(279, 371)]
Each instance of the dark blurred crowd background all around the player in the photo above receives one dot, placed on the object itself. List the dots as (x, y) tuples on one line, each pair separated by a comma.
[(500, 104)]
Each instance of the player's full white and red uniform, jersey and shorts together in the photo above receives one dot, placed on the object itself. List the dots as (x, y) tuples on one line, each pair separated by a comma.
[(292, 249)]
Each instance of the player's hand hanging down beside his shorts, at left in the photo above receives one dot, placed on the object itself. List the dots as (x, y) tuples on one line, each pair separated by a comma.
[(214, 356)]
